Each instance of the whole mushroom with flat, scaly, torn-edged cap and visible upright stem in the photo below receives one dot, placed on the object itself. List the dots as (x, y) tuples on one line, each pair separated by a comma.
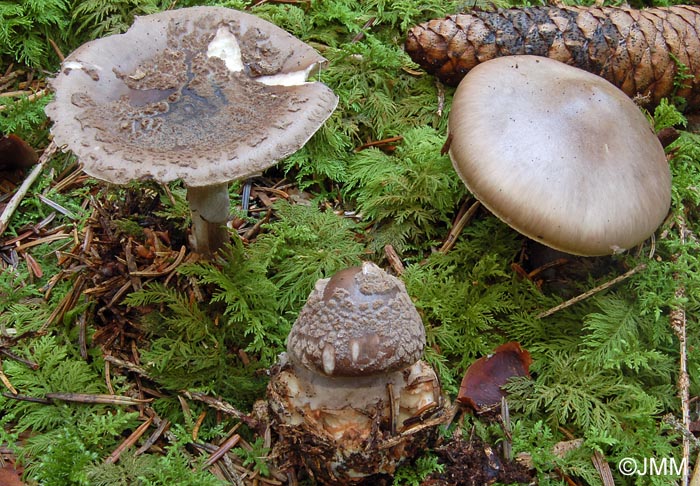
[(207, 95)]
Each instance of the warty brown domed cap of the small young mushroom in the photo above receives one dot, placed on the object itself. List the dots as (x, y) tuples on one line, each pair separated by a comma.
[(360, 322)]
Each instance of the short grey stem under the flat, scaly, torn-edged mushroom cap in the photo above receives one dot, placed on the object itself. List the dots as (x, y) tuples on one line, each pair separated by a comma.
[(209, 206)]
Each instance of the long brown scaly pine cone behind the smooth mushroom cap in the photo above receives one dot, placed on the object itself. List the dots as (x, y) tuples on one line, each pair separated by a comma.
[(633, 49)]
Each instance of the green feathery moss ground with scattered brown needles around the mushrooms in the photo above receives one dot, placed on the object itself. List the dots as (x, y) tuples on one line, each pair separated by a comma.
[(100, 295)]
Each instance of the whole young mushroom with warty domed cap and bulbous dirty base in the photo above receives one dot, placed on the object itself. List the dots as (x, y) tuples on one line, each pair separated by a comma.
[(351, 394)]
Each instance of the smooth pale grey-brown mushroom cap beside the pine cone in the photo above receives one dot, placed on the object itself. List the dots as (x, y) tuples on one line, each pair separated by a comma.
[(559, 154)]
